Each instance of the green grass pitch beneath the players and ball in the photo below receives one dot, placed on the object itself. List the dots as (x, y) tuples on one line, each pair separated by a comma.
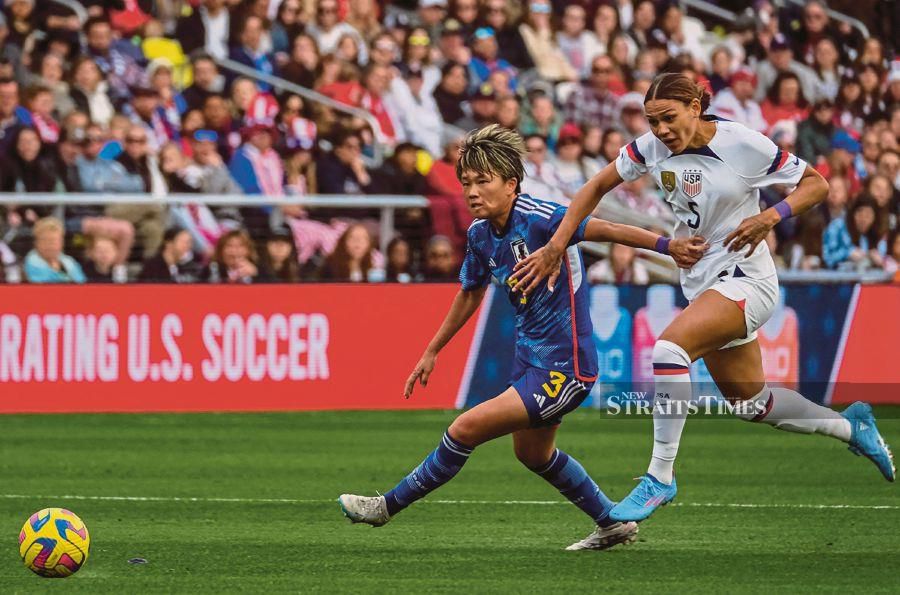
[(246, 502)]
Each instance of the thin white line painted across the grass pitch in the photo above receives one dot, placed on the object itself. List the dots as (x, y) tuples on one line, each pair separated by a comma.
[(464, 502)]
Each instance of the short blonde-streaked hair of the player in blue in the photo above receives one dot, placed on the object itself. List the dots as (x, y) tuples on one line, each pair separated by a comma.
[(493, 150)]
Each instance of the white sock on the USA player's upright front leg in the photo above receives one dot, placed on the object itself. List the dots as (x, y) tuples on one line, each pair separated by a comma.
[(672, 376)]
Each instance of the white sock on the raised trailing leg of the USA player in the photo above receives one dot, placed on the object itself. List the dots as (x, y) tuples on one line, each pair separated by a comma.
[(788, 410)]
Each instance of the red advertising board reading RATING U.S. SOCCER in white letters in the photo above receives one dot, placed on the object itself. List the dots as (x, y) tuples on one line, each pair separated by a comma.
[(204, 348)]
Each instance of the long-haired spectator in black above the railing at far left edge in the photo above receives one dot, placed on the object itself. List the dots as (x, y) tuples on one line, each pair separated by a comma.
[(27, 169)]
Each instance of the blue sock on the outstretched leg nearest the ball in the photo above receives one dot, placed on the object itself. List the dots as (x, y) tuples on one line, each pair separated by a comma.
[(437, 469)]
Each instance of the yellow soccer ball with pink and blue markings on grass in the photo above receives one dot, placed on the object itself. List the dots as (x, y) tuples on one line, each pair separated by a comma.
[(54, 543)]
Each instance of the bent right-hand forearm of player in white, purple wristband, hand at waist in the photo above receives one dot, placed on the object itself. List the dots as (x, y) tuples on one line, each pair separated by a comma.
[(810, 191)]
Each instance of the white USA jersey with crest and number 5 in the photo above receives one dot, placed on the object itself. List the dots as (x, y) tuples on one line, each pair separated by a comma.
[(711, 190)]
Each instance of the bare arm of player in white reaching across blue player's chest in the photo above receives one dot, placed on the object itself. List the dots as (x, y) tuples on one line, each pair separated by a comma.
[(544, 262)]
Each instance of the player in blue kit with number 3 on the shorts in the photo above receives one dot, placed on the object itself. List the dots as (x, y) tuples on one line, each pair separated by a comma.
[(555, 361)]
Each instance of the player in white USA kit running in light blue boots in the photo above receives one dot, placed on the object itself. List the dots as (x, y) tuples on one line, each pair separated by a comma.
[(711, 171)]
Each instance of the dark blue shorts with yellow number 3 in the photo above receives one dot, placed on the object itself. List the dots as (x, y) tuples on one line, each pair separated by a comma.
[(548, 394)]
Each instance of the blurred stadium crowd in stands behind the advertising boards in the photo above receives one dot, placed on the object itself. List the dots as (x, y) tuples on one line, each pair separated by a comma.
[(134, 100)]
